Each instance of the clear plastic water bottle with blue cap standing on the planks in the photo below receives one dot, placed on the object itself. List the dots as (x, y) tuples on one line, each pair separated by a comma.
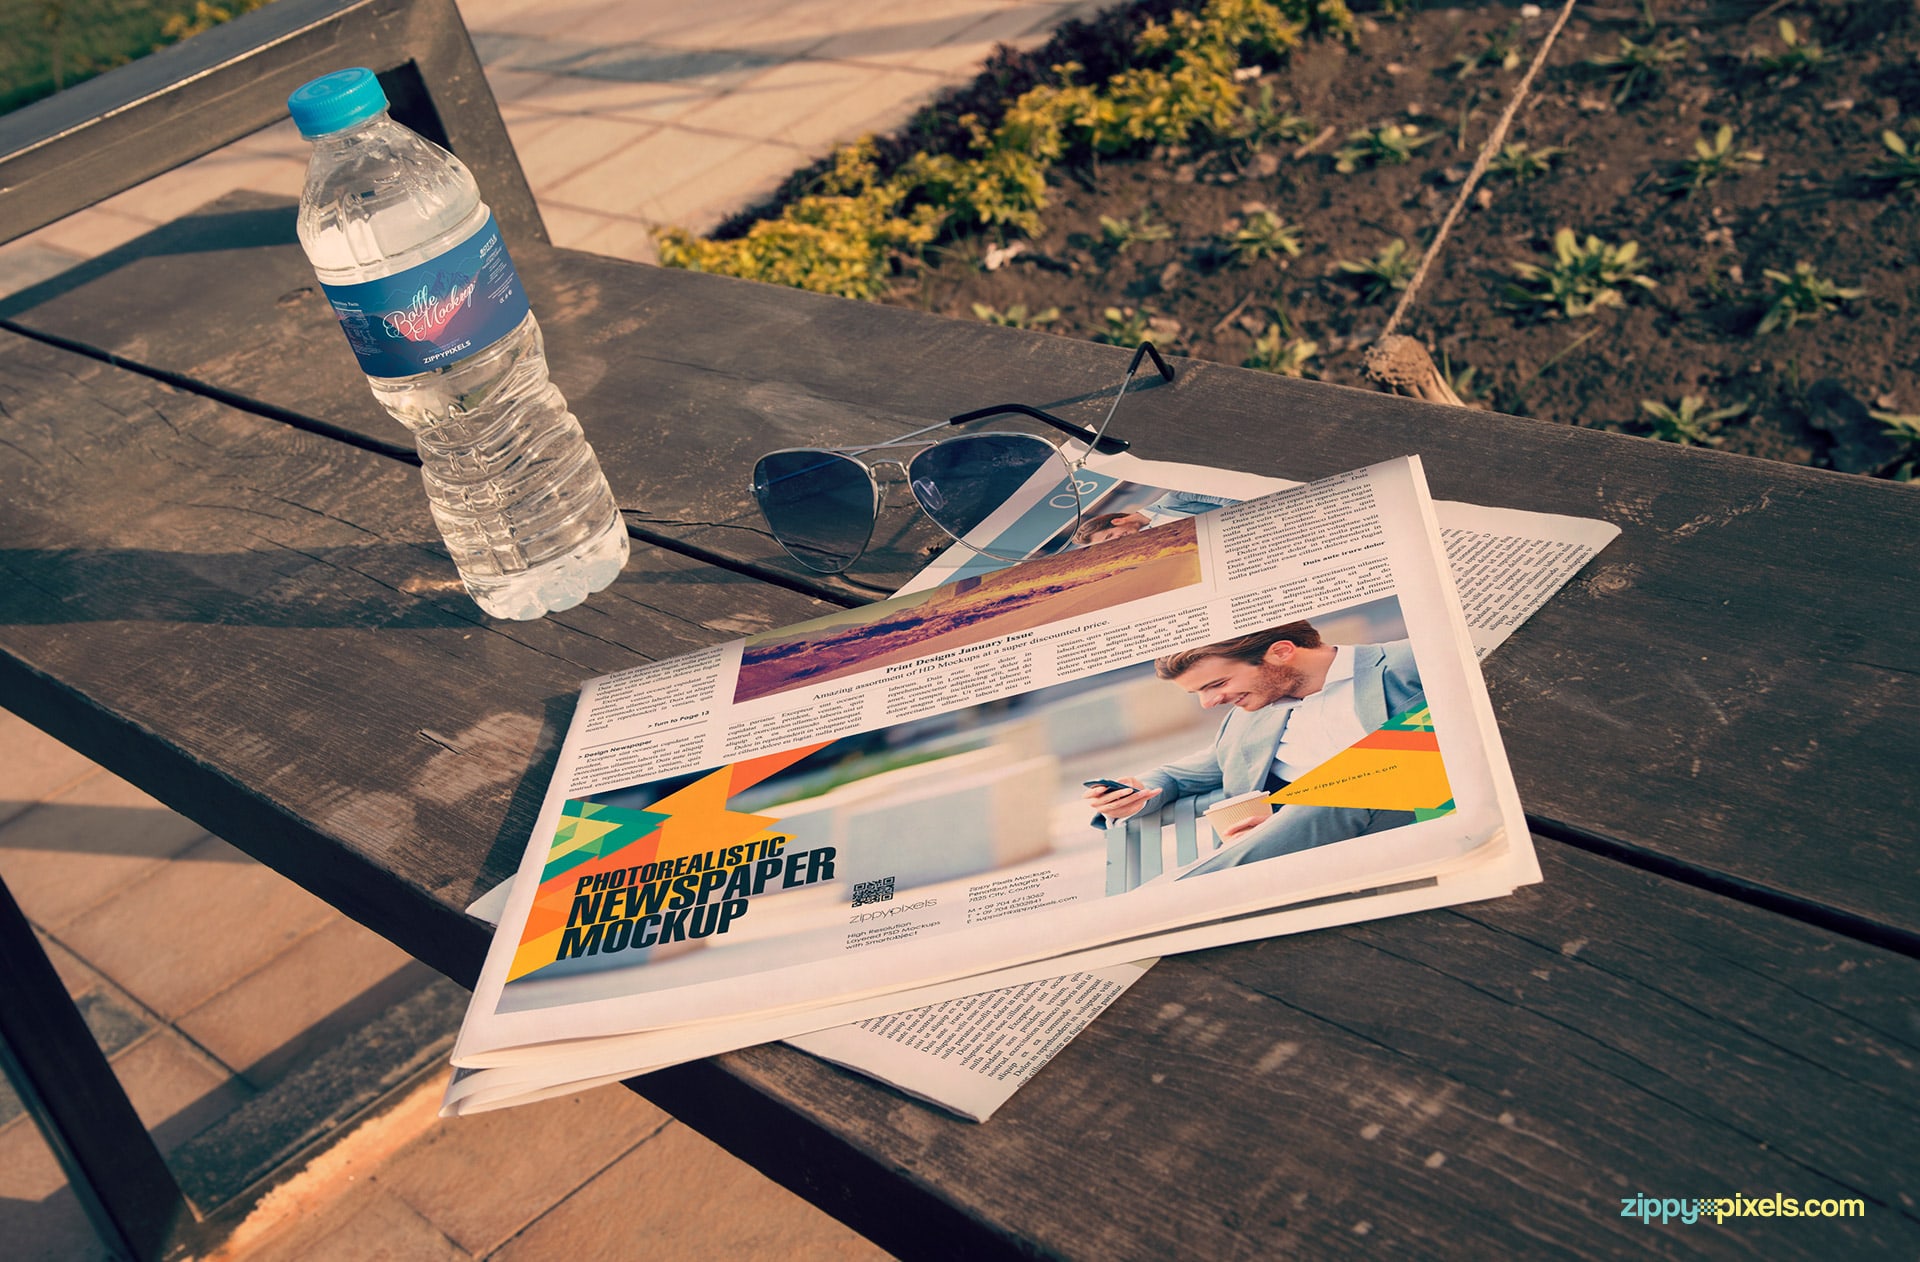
[(429, 301)]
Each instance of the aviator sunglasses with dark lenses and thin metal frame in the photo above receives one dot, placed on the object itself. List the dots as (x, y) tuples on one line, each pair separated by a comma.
[(823, 504)]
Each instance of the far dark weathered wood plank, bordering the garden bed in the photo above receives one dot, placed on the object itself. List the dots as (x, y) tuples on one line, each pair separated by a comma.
[(1681, 698)]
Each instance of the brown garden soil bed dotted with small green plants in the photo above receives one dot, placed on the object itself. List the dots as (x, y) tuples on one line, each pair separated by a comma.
[(1806, 393)]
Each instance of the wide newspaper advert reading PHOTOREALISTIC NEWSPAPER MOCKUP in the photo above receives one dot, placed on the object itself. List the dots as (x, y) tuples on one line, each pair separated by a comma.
[(988, 813)]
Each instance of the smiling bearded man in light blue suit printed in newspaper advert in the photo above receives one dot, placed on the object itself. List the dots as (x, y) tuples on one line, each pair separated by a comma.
[(1297, 702)]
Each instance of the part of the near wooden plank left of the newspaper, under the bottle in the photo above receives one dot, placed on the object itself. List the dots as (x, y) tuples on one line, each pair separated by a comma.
[(262, 629)]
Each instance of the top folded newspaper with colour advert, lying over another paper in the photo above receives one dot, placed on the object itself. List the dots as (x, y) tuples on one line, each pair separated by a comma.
[(890, 808)]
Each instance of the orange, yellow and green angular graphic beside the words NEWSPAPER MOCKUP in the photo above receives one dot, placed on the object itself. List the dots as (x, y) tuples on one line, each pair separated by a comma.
[(596, 838)]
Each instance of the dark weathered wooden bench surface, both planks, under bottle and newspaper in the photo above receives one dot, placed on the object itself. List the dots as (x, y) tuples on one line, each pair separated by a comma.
[(222, 583)]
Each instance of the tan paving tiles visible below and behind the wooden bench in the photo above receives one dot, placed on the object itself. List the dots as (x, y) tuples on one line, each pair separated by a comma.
[(235, 1046)]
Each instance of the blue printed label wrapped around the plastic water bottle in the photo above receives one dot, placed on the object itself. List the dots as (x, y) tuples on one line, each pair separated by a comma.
[(433, 314)]
